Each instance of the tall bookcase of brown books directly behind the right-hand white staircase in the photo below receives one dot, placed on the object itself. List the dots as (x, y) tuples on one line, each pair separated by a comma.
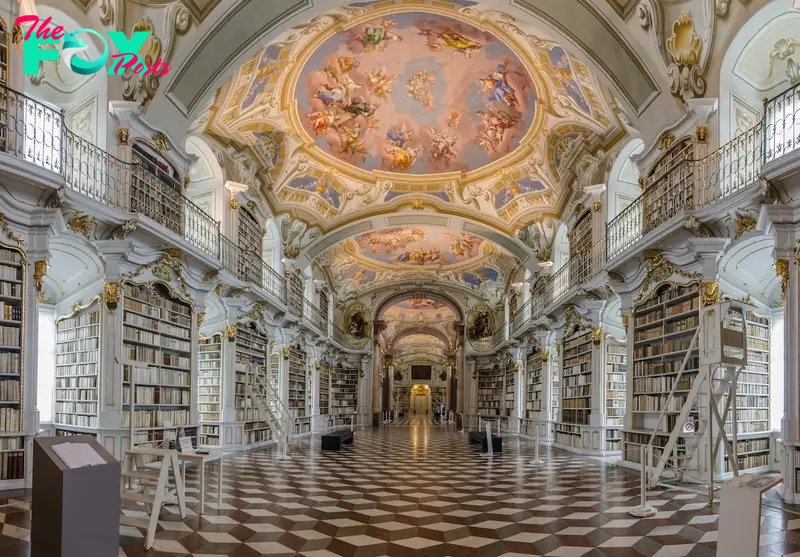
[(663, 327)]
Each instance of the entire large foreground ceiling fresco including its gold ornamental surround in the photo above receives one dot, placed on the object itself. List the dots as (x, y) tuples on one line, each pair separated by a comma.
[(447, 106)]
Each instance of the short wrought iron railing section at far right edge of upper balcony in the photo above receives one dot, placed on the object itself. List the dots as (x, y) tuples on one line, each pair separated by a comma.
[(782, 124)]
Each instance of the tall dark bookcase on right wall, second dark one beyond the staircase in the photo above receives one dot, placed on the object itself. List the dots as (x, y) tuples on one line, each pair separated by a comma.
[(576, 389)]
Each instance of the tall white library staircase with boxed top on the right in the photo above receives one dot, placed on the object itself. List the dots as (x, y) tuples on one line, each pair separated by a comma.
[(722, 338)]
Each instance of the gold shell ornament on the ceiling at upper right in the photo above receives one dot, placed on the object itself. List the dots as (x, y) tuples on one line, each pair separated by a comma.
[(684, 48)]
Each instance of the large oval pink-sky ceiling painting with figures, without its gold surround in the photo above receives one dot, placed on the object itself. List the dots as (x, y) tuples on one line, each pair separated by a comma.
[(417, 93)]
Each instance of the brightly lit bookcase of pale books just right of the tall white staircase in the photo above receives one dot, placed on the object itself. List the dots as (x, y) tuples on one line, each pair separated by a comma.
[(753, 443)]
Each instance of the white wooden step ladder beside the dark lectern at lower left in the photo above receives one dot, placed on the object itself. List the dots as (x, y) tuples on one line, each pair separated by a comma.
[(146, 479)]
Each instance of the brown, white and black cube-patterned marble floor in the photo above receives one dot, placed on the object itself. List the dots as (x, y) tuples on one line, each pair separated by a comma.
[(423, 491)]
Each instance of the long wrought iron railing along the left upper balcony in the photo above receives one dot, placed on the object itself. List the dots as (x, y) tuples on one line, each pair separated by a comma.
[(36, 133)]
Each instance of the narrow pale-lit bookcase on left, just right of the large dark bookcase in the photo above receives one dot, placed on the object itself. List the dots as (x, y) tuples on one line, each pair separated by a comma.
[(209, 389)]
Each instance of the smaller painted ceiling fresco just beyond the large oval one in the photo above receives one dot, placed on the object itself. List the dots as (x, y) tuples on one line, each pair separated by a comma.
[(392, 254)]
